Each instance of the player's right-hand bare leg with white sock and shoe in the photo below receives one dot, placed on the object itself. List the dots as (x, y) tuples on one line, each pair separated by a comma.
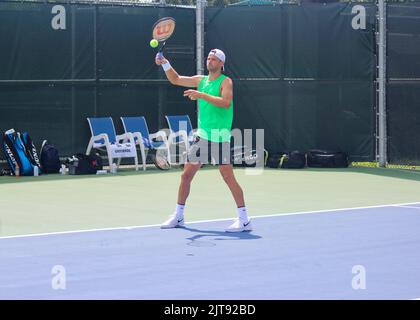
[(242, 223)]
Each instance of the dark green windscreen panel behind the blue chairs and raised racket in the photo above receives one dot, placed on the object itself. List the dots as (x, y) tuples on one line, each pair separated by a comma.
[(65, 62)]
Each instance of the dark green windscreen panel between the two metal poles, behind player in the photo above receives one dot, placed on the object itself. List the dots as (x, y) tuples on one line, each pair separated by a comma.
[(304, 73)]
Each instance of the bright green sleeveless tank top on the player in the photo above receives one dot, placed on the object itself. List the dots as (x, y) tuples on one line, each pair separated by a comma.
[(214, 123)]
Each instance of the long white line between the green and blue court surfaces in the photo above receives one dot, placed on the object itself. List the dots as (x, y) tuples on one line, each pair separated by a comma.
[(204, 221)]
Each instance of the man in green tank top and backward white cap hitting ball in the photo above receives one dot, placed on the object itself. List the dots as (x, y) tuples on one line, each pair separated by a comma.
[(212, 144)]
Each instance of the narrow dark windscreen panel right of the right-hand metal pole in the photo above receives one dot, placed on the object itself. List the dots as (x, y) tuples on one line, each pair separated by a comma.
[(403, 86)]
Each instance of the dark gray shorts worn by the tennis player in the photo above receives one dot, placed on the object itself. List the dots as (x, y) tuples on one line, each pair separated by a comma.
[(209, 152)]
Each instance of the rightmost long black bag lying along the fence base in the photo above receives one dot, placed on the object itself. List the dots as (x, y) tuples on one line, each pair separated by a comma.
[(327, 159)]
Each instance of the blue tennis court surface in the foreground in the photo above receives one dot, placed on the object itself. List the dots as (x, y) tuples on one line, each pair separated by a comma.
[(364, 253)]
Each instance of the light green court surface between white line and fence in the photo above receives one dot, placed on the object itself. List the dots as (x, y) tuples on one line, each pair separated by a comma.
[(55, 203)]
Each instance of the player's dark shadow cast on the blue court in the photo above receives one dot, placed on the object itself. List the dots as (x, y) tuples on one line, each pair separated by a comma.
[(203, 237)]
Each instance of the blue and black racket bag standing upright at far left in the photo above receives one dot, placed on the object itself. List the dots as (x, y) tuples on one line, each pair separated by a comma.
[(20, 153)]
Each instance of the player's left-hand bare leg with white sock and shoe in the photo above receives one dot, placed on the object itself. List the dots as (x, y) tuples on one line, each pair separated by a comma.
[(177, 219)]
